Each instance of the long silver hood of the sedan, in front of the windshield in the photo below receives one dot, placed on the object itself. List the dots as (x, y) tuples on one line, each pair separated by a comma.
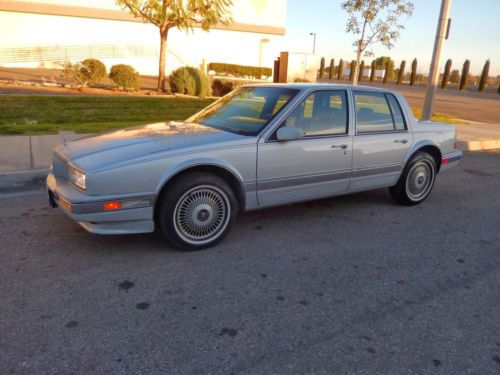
[(159, 139)]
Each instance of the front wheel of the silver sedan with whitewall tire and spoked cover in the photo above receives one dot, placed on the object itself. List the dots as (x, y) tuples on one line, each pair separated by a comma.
[(196, 211)]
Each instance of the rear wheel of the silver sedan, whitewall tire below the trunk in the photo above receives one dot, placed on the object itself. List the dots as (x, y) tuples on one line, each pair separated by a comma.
[(416, 181)]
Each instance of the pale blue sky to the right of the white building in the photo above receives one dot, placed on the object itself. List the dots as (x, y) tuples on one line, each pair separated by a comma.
[(474, 35)]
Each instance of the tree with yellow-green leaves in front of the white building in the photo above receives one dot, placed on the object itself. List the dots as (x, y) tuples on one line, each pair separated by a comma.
[(183, 14)]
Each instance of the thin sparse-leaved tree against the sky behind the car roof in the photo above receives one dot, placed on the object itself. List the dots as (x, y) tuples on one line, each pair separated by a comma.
[(374, 21)]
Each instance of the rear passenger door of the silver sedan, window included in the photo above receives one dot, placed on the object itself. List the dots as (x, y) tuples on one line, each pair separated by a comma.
[(381, 140)]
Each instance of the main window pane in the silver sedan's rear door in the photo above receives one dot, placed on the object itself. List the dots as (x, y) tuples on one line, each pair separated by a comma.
[(372, 113)]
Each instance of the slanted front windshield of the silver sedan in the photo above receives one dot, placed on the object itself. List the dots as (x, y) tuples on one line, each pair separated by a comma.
[(246, 111)]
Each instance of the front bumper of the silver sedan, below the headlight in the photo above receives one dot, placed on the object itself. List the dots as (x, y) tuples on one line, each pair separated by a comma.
[(134, 216)]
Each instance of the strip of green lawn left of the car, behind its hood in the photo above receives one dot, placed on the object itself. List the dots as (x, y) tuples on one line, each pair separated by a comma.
[(89, 114)]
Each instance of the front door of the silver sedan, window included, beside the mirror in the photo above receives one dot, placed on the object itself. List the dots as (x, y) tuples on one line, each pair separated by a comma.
[(315, 166)]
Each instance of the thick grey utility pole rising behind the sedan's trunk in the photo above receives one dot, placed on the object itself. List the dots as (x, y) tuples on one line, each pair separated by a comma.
[(441, 35)]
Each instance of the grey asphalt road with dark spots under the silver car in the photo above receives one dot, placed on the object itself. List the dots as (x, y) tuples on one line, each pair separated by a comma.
[(353, 284)]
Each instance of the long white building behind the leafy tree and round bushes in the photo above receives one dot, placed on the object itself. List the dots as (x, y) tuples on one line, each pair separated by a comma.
[(45, 33)]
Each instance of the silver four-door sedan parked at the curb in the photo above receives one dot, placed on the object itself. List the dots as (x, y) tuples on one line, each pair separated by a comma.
[(259, 146)]
